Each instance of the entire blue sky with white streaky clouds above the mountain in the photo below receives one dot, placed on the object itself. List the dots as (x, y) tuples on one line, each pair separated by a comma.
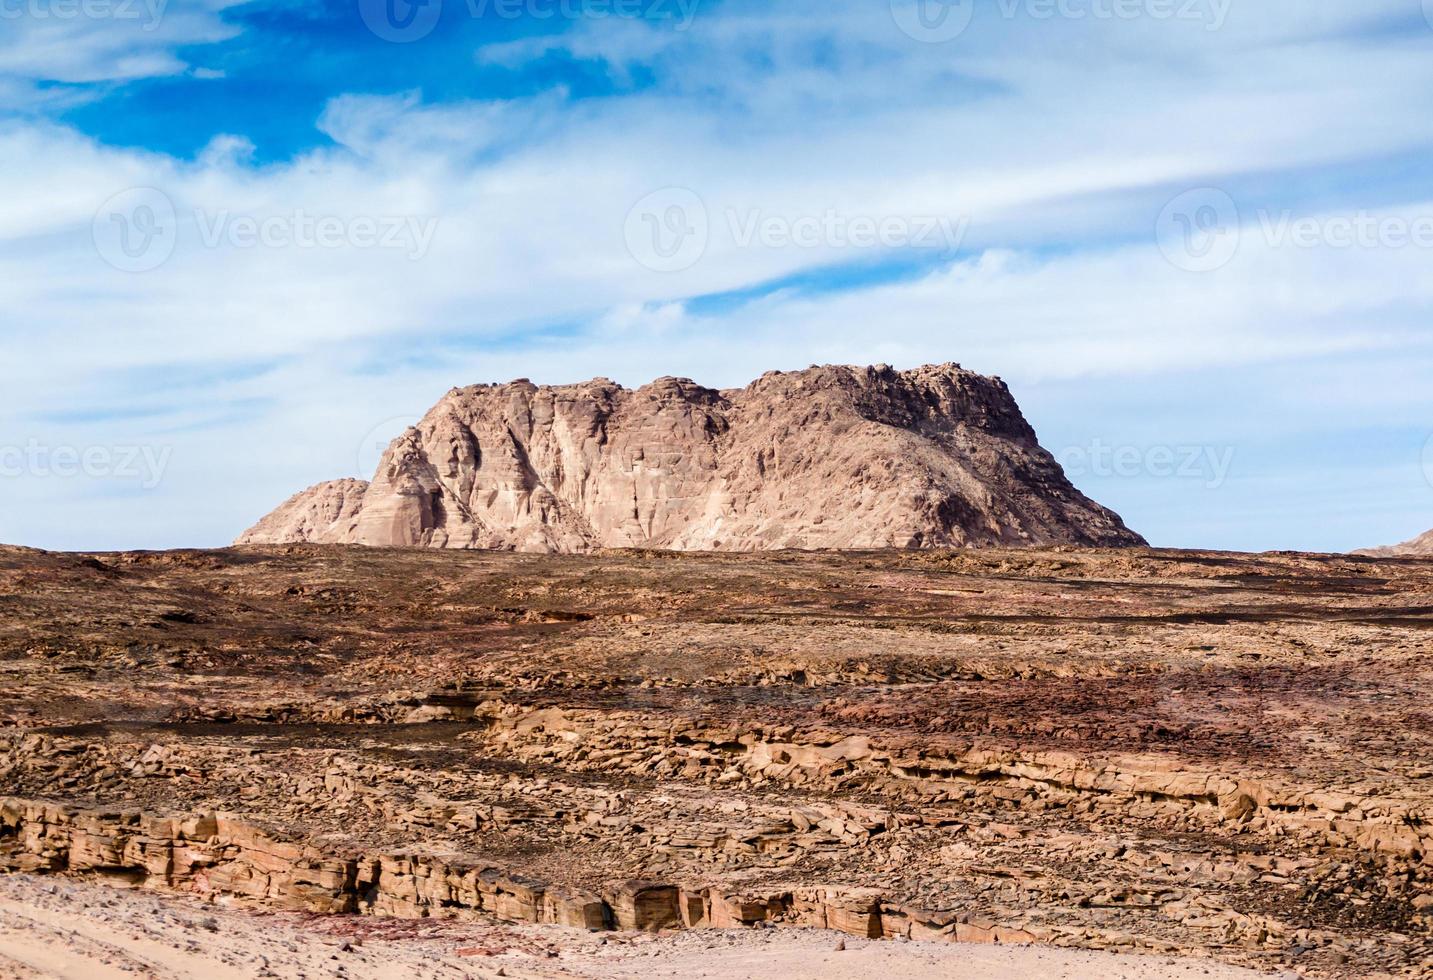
[(244, 243)]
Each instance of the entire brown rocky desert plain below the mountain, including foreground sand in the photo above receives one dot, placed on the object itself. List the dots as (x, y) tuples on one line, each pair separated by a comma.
[(1017, 760)]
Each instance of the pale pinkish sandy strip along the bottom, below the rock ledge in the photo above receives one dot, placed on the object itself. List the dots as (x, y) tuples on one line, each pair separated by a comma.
[(62, 928)]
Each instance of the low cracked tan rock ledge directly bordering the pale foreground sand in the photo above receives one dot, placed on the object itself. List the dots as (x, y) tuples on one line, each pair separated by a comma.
[(213, 855)]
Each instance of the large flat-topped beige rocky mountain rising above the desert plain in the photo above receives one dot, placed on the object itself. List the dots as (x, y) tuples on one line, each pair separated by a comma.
[(832, 458)]
